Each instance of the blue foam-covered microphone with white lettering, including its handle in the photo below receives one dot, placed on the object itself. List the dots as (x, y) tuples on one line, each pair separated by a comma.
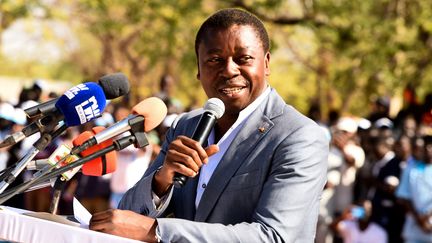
[(76, 106)]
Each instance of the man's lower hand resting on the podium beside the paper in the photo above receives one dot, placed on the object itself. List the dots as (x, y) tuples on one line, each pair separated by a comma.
[(125, 223)]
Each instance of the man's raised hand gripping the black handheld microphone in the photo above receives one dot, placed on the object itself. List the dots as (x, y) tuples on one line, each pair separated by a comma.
[(184, 156)]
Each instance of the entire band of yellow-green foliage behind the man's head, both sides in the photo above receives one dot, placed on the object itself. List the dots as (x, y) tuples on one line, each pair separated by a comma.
[(340, 53)]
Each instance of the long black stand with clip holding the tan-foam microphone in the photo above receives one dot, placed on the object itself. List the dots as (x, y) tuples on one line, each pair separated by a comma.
[(138, 138)]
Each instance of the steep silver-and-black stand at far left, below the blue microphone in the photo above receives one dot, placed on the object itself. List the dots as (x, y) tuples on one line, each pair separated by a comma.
[(41, 144)]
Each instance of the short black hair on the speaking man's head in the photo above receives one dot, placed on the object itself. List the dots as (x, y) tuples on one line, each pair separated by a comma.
[(225, 18)]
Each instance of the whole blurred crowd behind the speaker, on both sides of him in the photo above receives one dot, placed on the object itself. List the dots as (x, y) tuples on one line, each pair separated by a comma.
[(379, 179)]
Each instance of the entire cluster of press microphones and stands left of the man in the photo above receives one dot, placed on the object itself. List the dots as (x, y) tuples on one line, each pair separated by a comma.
[(93, 151)]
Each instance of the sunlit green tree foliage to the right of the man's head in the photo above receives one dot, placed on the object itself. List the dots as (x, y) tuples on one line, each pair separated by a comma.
[(365, 48)]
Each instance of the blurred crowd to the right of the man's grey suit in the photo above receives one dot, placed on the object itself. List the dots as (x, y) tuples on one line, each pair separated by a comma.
[(379, 181)]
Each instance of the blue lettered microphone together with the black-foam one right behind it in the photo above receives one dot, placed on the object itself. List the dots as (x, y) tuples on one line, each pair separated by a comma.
[(76, 106)]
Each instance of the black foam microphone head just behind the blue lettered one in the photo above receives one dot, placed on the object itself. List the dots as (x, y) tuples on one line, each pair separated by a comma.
[(114, 85)]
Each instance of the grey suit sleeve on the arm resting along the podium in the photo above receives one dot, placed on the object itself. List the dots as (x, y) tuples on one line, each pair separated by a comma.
[(288, 206)]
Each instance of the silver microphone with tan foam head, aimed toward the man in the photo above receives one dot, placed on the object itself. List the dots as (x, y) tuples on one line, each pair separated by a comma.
[(152, 109)]
